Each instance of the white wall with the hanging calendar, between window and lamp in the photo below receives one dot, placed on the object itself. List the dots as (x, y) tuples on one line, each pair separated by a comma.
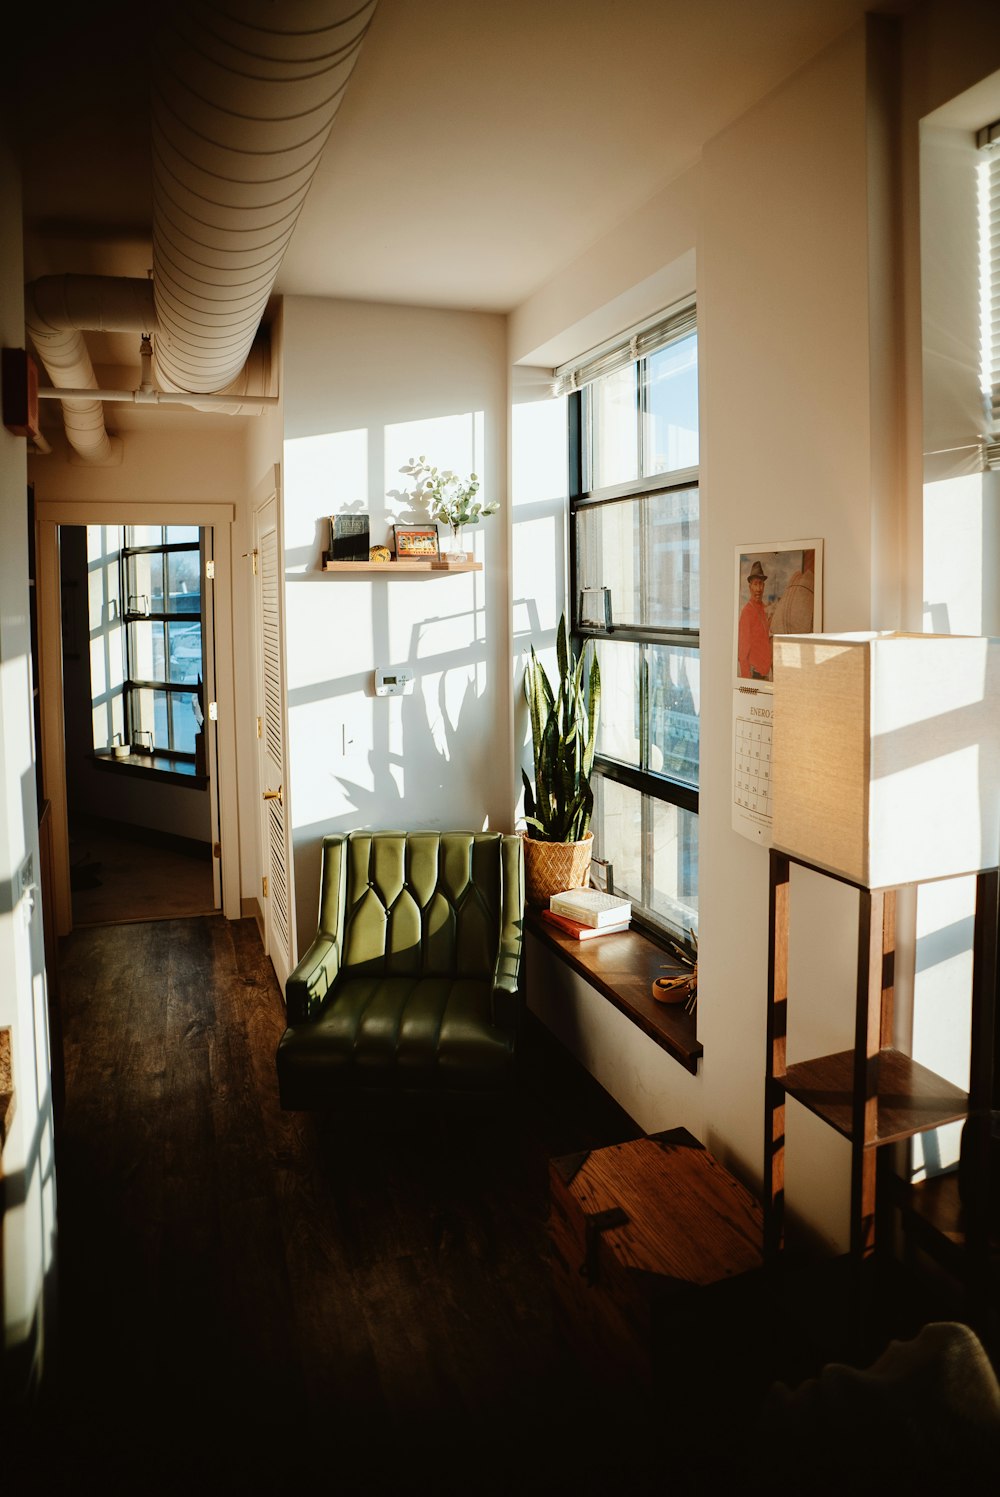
[(790, 451)]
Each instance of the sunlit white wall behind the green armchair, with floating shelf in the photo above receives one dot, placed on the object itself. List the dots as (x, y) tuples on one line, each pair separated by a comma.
[(366, 387)]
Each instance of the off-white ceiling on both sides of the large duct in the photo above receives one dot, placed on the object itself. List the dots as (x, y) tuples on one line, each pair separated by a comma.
[(480, 147)]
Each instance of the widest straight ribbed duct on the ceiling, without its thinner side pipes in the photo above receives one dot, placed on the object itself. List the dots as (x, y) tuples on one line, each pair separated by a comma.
[(243, 106)]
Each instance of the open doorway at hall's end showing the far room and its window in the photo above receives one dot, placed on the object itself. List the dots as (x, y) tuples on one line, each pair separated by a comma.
[(141, 806)]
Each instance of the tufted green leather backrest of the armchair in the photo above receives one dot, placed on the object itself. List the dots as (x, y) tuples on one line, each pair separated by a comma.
[(417, 905)]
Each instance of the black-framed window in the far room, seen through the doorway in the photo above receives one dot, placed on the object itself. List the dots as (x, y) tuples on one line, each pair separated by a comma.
[(155, 622)]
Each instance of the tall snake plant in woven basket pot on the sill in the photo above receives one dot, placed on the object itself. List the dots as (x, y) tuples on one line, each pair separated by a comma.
[(559, 806)]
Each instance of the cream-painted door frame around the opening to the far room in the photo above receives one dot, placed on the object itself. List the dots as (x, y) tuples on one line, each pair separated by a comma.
[(50, 514)]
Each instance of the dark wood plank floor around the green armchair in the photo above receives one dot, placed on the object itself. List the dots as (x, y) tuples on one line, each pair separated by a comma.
[(251, 1299)]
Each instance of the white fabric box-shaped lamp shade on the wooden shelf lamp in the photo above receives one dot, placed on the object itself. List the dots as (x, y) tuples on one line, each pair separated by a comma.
[(885, 764)]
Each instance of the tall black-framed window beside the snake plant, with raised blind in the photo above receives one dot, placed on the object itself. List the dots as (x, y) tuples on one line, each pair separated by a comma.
[(635, 601)]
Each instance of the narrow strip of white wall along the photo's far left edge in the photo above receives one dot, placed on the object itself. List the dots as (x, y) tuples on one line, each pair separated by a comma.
[(29, 1189)]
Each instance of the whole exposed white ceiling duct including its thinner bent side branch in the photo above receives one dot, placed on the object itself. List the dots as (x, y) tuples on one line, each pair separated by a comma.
[(245, 97)]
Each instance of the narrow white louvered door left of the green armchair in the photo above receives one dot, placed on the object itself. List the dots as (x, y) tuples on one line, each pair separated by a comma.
[(275, 841)]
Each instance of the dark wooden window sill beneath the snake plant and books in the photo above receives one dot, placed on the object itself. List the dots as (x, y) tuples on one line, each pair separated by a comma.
[(622, 968)]
